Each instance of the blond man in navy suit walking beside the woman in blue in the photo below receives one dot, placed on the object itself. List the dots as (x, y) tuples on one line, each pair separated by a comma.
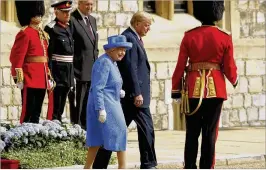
[(135, 72)]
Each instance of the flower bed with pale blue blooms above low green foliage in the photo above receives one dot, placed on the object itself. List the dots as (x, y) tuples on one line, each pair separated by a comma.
[(45, 145)]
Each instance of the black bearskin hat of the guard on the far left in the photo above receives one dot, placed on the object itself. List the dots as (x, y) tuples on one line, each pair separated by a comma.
[(29, 9)]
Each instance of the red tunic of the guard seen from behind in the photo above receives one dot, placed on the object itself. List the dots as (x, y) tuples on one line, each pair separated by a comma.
[(206, 44)]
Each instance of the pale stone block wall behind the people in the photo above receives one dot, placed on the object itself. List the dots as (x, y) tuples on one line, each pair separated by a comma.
[(245, 105)]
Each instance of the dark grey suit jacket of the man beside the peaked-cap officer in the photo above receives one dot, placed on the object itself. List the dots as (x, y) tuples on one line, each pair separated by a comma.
[(85, 50)]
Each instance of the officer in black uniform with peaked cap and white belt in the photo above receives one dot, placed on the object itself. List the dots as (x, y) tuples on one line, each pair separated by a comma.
[(60, 51)]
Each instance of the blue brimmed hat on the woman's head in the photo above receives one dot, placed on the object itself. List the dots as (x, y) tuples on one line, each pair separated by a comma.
[(117, 41)]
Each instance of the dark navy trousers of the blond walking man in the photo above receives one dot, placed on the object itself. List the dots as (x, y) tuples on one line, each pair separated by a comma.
[(146, 137)]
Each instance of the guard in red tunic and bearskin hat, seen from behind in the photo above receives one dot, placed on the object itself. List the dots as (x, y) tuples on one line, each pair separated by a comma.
[(208, 51)]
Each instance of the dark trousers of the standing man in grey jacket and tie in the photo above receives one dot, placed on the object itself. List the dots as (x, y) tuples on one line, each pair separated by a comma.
[(82, 93)]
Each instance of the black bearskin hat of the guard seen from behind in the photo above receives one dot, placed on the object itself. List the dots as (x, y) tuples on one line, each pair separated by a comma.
[(208, 12)]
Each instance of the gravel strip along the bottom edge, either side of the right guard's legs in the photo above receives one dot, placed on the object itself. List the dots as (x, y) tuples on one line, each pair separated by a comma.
[(245, 165)]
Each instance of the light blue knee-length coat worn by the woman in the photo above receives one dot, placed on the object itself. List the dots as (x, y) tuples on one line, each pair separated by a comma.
[(104, 94)]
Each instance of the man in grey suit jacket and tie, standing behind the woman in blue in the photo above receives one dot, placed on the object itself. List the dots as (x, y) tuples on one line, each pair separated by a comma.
[(85, 53)]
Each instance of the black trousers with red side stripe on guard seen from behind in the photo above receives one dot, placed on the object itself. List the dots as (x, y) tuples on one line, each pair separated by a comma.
[(205, 121)]
